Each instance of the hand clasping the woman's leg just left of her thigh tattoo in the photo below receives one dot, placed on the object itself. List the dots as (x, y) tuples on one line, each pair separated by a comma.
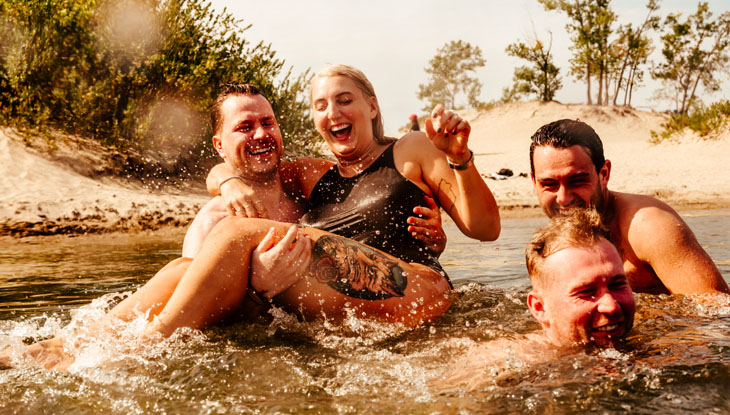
[(276, 267)]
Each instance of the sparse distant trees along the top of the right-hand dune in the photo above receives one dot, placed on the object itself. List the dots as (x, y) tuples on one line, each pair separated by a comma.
[(609, 54)]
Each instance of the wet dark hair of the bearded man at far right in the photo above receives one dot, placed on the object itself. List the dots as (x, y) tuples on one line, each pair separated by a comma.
[(567, 133)]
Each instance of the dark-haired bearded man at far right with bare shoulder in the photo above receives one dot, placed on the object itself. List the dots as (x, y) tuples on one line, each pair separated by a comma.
[(660, 253)]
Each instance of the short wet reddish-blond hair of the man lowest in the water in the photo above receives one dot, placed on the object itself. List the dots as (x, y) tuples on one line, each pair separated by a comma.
[(581, 228)]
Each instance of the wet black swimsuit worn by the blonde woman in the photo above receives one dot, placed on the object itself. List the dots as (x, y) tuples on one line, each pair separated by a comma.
[(371, 208)]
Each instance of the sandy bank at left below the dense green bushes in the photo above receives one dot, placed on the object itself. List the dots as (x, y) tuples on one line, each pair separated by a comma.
[(42, 196)]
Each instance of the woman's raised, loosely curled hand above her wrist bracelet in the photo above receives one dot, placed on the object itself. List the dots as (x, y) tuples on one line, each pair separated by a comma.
[(449, 133)]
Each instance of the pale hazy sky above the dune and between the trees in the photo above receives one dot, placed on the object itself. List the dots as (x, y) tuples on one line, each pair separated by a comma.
[(393, 41)]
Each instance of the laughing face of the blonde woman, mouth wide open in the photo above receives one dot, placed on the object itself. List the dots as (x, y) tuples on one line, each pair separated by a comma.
[(343, 116)]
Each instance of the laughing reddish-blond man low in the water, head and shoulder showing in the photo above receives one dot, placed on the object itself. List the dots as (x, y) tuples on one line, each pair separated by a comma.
[(580, 296)]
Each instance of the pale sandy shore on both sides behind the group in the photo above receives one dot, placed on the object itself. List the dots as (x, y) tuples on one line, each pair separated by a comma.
[(59, 189)]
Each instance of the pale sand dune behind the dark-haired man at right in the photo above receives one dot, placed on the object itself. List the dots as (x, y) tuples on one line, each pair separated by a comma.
[(687, 172)]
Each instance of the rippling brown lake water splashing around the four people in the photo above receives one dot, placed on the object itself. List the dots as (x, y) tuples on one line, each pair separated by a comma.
[(677, 360)]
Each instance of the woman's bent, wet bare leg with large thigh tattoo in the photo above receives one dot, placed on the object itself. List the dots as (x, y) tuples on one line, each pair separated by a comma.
[(345, 274)]
